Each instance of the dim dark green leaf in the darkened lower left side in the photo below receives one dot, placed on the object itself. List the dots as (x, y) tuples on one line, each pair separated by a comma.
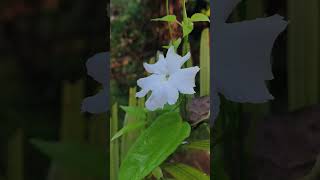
[(81, 158)]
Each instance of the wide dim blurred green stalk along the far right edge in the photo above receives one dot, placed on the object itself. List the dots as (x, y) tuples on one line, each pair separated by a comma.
[(303, 54)]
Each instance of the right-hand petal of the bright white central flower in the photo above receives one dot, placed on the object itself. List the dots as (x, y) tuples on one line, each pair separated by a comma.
[(184, 80)]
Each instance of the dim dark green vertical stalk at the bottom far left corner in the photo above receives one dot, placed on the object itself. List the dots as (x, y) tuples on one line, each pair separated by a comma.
[(15, 168)]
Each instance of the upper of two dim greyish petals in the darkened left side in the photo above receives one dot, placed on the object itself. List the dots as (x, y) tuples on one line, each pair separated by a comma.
[(97, 67)]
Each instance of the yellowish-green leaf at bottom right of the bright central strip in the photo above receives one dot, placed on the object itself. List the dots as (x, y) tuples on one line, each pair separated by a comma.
[(185, 172)]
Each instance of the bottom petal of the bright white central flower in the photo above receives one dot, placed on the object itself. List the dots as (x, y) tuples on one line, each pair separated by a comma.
[(157, 99)]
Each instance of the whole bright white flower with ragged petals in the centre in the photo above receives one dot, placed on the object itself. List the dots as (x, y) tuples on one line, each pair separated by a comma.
[(167, 79)]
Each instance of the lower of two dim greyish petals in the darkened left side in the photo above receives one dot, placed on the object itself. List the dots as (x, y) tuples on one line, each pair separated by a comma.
[(97, 103)]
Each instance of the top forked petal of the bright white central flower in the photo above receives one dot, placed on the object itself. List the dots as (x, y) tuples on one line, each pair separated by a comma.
[(175, 61)]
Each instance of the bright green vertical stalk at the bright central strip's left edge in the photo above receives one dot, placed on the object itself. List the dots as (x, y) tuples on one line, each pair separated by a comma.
[(114, 145)]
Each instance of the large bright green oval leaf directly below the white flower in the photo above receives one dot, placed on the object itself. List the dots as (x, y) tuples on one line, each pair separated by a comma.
[(153, 146)]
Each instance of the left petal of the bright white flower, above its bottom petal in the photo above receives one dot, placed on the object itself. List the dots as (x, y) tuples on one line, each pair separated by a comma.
[(151, 82)]
